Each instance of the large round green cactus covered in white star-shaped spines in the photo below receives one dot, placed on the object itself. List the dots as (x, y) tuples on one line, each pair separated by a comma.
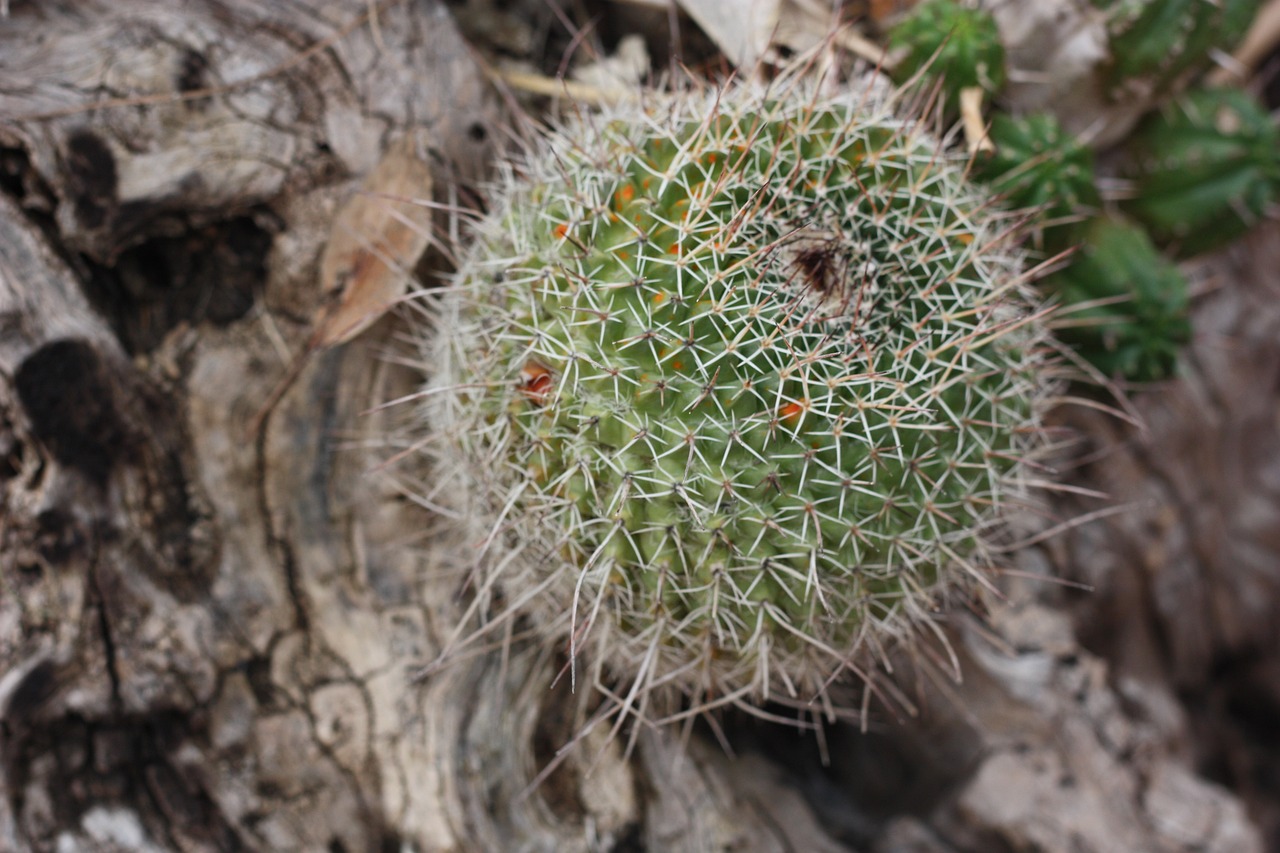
[(733, 387)]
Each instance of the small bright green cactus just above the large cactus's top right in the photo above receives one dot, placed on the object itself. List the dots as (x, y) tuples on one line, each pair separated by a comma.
[(953, 43)]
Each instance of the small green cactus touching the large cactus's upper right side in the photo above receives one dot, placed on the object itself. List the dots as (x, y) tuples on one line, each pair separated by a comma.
[(1037, 167)]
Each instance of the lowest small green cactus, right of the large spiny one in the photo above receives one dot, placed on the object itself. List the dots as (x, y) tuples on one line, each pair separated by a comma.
[(1124, 304)]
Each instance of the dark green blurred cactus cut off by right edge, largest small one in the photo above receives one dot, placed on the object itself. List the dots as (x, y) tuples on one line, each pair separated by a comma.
[(1205, 170)]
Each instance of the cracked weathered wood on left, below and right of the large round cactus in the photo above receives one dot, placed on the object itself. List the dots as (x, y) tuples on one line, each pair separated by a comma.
[(212, 622)]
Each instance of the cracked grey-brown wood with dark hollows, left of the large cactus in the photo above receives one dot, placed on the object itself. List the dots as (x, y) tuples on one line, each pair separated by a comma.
[(209, 637)]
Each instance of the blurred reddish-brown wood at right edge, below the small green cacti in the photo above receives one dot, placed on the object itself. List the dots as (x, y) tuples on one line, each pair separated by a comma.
[(1187, 583)]
